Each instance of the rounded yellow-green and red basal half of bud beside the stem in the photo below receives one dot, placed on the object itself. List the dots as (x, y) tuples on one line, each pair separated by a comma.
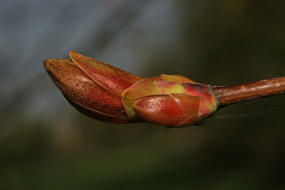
[(169, 100)]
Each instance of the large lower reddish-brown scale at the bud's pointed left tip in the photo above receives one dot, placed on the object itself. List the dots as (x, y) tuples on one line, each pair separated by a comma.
[(84, 93)]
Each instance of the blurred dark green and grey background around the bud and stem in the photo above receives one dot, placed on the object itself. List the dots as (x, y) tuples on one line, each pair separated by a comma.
[(46, 144)]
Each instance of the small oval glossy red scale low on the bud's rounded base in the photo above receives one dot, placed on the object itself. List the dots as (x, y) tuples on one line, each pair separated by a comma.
[(168, 110)]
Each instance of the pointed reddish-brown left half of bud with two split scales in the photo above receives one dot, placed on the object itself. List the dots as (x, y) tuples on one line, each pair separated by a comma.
[(91, 86)]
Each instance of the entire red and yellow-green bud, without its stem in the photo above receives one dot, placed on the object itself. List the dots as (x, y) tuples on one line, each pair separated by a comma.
[(110, 94)]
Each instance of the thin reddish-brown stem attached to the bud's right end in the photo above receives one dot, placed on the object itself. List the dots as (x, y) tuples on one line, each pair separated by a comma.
[(236, 93)]
